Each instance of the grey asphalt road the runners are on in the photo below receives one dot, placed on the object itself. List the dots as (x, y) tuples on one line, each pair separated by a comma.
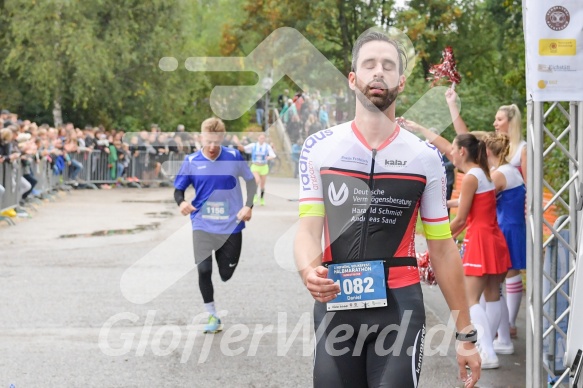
[(117, 304)]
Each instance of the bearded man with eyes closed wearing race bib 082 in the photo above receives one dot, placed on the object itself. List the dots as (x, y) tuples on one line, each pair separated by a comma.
[(363, 183)]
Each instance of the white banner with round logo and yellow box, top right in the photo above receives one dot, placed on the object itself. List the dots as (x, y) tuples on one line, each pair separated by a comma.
[(554, 49)]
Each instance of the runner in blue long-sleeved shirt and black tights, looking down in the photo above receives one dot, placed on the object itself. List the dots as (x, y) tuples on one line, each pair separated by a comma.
[(217, 210)]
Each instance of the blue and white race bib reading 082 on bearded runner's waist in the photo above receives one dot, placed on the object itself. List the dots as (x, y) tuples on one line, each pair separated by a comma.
[(362, 285)]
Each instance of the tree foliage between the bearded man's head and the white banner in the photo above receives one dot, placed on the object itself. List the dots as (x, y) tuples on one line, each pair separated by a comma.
[(489, 53)]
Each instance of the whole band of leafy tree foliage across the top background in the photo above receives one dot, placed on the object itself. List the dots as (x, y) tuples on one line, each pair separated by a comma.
[(99, 58)]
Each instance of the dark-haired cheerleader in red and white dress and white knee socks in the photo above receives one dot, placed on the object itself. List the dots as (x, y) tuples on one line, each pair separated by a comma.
[(486, 259)]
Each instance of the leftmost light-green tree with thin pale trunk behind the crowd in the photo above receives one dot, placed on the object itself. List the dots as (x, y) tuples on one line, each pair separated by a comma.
[(49, 46)]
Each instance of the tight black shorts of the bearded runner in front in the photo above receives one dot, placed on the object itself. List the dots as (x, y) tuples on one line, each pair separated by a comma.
[(375, 347)]
